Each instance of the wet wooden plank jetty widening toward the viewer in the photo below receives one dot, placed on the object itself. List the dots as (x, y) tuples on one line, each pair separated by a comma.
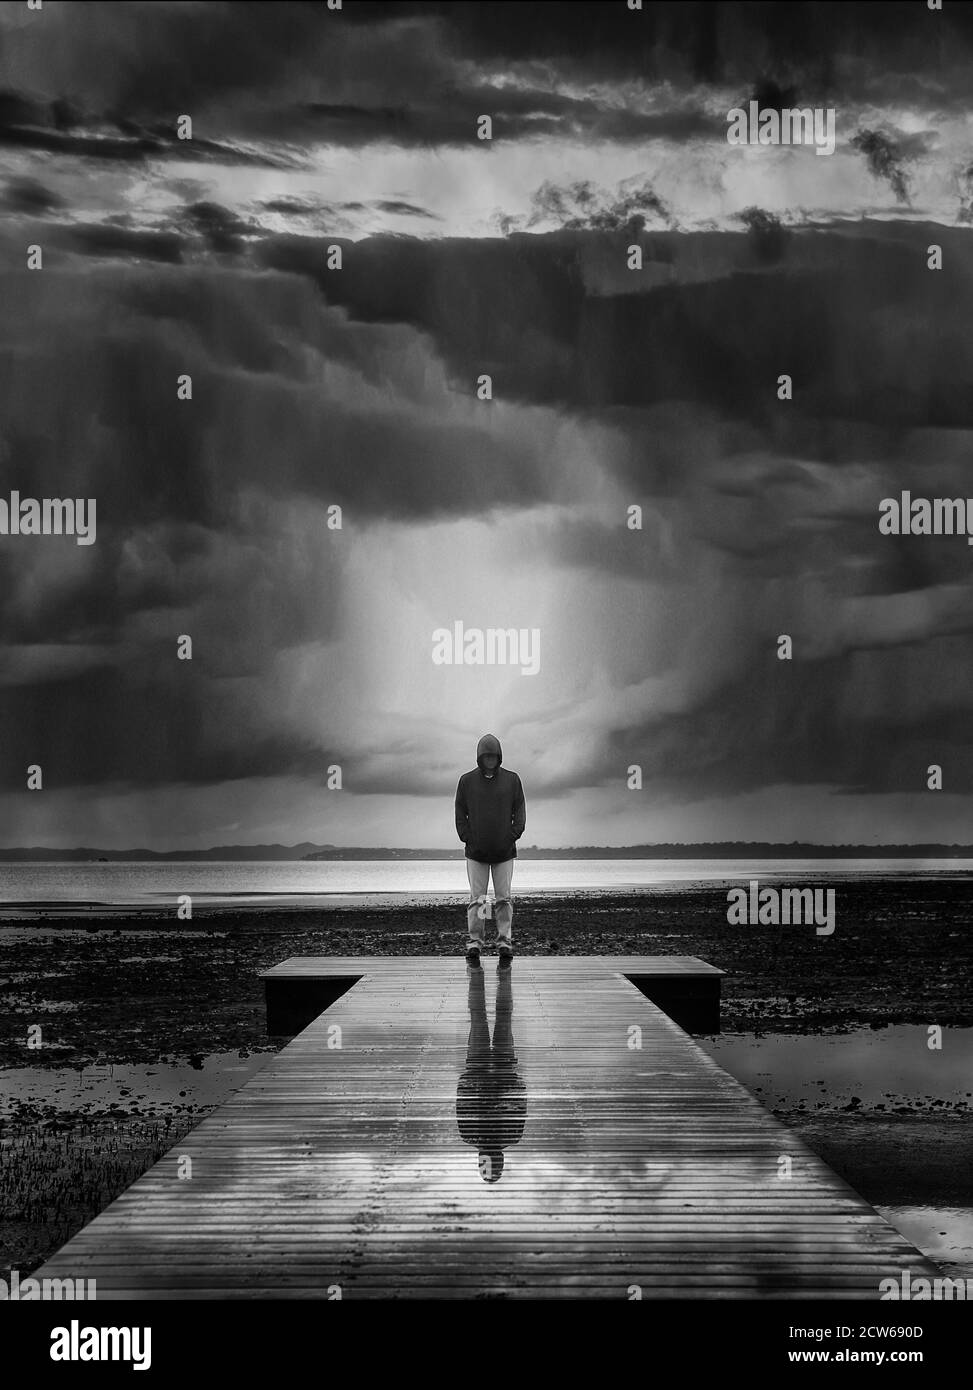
[(630, 1159)]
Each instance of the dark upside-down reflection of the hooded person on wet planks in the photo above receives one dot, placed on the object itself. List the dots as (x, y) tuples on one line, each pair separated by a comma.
[(491, 1100)]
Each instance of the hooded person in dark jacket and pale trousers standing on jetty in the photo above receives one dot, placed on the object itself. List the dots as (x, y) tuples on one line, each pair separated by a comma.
[(491, 815)]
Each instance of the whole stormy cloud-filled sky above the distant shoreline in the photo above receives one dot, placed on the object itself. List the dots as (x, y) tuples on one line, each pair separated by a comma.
[(357, 389)]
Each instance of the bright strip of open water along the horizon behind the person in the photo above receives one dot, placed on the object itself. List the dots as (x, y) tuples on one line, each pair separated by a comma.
[(390, 882)]
